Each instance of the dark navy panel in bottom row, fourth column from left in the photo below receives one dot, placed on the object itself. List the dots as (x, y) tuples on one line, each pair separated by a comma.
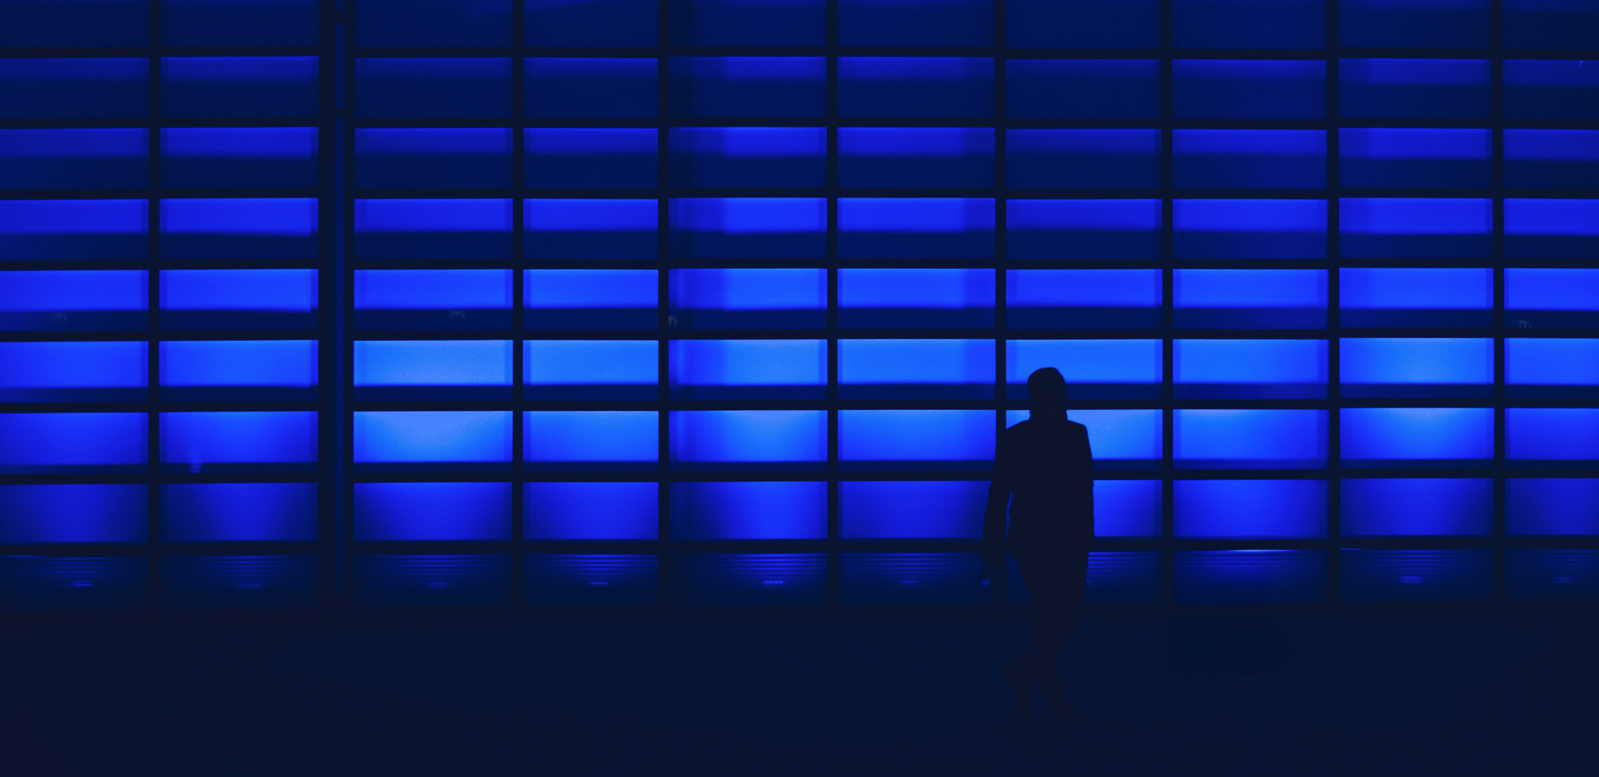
[(554, 580)]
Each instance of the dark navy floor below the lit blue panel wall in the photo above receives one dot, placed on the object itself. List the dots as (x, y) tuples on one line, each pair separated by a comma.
[(1283, 696)]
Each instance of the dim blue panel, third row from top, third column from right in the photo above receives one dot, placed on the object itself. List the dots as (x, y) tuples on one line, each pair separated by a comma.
[(1250, 159)]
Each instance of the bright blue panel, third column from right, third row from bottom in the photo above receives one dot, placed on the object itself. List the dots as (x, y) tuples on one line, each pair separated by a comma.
[(1250, 439)]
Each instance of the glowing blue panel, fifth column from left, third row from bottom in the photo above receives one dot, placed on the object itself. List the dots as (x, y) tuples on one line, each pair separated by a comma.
[(748, 440)]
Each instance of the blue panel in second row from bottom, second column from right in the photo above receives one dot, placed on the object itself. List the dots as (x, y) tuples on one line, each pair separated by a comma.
[(1394, 508)]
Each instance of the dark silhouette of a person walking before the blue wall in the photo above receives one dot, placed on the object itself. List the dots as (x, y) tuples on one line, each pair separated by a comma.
[(1045, 474)]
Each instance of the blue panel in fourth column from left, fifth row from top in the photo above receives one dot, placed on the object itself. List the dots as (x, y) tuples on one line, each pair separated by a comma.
[(591, 300)]
